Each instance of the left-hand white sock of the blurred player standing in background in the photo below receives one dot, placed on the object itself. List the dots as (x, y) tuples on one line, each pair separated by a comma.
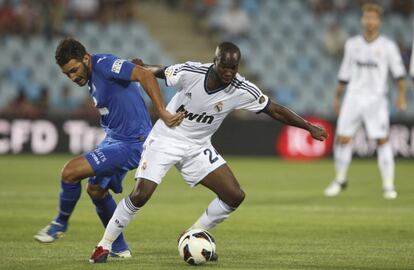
[(342, 156)]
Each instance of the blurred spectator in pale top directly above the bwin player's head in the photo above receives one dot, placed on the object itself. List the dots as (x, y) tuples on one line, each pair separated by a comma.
[(234, 23)]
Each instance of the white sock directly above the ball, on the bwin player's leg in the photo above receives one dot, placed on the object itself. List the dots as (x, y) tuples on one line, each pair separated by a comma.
[(216, 212)]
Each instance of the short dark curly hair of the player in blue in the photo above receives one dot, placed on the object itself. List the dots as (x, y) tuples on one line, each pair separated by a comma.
[(68, 49)]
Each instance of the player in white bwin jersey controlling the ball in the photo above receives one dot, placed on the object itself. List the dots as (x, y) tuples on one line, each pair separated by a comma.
[(206, 94)]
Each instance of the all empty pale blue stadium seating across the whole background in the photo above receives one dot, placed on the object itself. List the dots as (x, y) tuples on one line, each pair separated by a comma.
[(284, 50)]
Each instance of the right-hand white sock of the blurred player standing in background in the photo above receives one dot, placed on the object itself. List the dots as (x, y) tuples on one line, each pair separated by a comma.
[(386, 165)]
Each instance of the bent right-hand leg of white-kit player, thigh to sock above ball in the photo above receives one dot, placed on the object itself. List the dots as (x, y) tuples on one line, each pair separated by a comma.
[(229, 196)]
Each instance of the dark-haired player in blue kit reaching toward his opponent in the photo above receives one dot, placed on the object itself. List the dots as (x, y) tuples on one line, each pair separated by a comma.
[(125, 119)]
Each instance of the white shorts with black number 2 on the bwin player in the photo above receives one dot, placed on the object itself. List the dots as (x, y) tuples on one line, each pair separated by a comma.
[(193, 161)]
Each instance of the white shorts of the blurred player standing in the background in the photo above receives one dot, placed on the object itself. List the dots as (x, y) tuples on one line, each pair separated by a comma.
[(372, 112)]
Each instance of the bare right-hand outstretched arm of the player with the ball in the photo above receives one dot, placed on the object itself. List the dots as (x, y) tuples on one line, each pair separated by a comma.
[(285, 115)]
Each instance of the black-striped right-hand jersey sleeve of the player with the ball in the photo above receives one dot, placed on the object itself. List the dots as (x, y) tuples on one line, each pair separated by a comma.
[(252, 98)]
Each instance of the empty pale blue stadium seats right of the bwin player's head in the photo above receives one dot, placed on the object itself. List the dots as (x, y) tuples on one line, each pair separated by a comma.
[(285, 50)]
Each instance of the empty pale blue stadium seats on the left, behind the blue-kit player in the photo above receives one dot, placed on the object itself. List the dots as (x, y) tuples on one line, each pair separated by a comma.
[(30, 62)]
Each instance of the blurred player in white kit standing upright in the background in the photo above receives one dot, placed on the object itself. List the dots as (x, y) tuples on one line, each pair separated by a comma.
[(364, 69)]
